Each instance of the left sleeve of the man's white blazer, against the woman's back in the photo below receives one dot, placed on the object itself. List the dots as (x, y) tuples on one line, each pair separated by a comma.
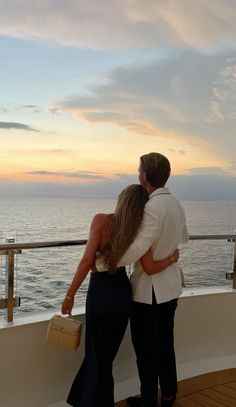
[(146, 235)]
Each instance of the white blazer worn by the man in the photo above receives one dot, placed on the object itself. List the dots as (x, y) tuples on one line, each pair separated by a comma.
[(162, 229)]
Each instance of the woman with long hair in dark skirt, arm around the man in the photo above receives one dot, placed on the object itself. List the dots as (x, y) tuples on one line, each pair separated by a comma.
[(108, 297)]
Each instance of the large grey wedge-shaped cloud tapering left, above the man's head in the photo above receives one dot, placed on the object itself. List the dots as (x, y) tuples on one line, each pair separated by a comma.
[(183, 96)]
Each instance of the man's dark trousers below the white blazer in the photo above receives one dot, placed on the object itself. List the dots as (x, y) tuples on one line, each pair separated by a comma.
[(152, 330)]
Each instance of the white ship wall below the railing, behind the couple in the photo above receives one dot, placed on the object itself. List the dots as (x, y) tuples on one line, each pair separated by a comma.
[(35, 374)]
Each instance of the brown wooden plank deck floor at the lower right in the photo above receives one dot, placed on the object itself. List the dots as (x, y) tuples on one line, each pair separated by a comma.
[(216, 389)]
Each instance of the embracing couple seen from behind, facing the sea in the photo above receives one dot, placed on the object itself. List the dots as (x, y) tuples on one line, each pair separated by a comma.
[(145, 230)]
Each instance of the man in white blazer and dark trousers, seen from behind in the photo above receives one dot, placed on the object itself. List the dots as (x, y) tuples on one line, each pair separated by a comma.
[(155, 297)]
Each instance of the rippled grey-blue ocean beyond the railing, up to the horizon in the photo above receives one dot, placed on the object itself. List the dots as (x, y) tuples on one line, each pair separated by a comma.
[(43, 275)]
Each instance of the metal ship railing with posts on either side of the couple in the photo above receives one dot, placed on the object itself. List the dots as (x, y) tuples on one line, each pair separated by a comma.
[(10, 249)]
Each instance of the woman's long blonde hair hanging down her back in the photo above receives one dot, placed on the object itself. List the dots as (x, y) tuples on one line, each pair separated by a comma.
[(125, 224)]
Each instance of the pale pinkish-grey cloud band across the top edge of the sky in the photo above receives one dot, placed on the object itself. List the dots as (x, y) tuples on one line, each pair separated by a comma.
[(91, 24)]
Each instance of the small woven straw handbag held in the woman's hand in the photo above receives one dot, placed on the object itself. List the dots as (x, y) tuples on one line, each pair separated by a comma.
[(64, 331)]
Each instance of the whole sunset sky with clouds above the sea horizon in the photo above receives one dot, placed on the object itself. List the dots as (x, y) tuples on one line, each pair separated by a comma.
[(87, 87)]
